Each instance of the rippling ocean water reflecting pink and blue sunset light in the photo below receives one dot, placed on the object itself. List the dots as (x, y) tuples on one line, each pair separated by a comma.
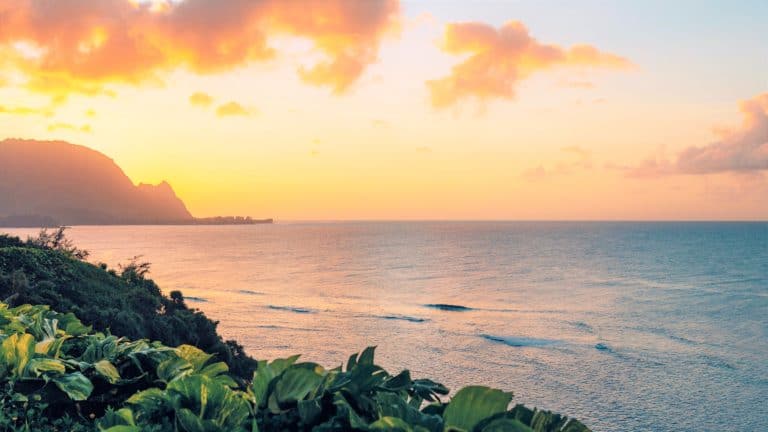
[(626, 326)]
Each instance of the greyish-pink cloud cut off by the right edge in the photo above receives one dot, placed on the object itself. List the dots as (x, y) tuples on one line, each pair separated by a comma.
[(743, 149)]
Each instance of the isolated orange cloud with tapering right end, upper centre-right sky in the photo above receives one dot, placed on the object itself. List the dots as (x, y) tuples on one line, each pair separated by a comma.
[(498, 59)]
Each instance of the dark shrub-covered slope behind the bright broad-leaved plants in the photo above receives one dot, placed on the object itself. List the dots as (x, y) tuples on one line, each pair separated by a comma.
[(49, 270)]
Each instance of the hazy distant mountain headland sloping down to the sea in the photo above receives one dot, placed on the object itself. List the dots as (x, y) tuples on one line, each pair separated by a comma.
[(53, 183)]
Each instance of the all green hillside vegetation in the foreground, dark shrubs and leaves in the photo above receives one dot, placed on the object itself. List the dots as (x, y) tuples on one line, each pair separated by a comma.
[(58, 373)]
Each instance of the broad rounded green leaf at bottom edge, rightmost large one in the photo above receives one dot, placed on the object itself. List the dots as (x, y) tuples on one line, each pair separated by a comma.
[(471, 405)]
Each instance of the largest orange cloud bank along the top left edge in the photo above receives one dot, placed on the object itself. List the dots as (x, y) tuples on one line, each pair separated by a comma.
[(82, 45)]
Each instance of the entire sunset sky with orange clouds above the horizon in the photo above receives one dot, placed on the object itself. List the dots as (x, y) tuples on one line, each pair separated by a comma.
[(336, 109)]
